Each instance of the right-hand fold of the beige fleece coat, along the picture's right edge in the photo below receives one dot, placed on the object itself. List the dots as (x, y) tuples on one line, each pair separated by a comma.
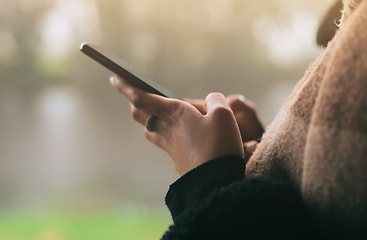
[(335, 161)]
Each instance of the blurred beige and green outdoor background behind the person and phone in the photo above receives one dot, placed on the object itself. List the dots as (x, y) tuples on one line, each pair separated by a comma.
[(73, 164)]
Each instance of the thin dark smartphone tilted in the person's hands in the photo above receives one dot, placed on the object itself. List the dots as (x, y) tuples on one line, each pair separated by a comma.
[(125, 71)]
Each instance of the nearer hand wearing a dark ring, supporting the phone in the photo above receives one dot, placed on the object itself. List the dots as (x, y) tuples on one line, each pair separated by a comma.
[(188, 136)]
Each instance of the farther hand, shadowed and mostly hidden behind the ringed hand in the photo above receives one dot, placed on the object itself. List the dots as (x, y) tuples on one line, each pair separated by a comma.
[(245, 114)]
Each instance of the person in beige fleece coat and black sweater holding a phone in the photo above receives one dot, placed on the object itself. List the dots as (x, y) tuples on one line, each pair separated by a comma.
[(305, 179)]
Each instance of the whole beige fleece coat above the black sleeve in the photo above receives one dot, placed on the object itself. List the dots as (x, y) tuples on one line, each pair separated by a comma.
[(318, 141)]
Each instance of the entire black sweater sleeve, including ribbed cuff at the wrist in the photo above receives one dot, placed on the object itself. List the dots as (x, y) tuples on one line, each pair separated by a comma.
[(216, 201)]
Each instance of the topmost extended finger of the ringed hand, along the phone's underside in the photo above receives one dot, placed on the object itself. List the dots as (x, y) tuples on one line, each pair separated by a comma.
[(152, 104)]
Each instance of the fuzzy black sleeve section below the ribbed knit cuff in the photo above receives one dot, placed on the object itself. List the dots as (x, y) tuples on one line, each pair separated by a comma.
[(246, 209)]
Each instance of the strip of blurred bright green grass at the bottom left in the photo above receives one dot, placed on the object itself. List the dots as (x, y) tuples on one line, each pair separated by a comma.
[(127, 223)]
